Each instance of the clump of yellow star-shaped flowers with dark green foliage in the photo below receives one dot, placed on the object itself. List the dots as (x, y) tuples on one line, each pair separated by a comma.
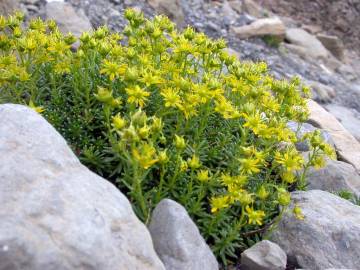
[(167, 114)]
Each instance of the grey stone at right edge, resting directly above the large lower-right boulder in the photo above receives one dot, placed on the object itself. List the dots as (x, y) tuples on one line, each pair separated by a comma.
[(334, 177)]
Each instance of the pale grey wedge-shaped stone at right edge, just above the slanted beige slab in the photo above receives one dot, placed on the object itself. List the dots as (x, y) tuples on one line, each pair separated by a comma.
[(349, 118)]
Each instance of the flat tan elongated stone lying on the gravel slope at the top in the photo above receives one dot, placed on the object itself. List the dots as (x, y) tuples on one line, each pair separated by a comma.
[(261, 27)]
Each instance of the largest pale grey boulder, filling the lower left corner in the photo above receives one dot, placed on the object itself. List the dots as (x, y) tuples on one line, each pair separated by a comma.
[(57, 214)]
